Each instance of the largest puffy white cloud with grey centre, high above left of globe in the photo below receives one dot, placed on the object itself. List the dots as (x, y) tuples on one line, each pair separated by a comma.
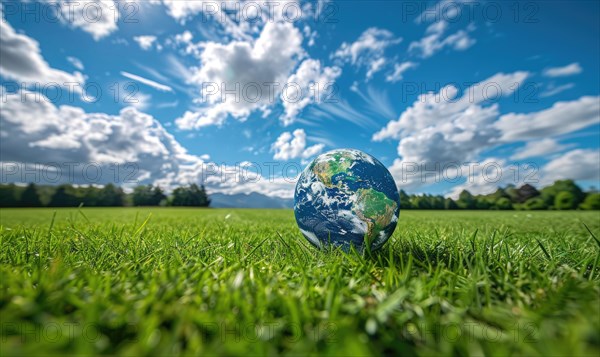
[(255, 70)]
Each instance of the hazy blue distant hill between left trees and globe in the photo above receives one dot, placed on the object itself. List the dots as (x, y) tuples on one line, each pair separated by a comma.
[(252, 200)]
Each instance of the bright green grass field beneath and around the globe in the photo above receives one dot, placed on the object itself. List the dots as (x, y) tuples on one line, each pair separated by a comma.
[(244, 282)]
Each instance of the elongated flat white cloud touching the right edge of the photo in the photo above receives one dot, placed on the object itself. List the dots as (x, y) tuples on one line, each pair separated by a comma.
[(561, 118)]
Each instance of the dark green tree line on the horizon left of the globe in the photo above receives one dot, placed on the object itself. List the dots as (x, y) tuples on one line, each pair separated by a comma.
[(33, 195)]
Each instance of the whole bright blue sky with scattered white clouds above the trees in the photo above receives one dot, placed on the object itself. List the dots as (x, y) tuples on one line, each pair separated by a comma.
[(240, 96)]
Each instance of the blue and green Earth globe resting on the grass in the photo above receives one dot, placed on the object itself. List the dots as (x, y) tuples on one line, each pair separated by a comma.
[(346, 198)]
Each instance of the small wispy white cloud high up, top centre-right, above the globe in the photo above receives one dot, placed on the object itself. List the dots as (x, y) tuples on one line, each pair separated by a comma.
[(368, 50)]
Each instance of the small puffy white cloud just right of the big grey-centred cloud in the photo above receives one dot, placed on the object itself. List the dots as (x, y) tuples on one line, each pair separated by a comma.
[(311, 83)]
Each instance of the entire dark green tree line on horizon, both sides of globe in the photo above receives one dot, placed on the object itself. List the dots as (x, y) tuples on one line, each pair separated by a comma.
[(561, 195)]
